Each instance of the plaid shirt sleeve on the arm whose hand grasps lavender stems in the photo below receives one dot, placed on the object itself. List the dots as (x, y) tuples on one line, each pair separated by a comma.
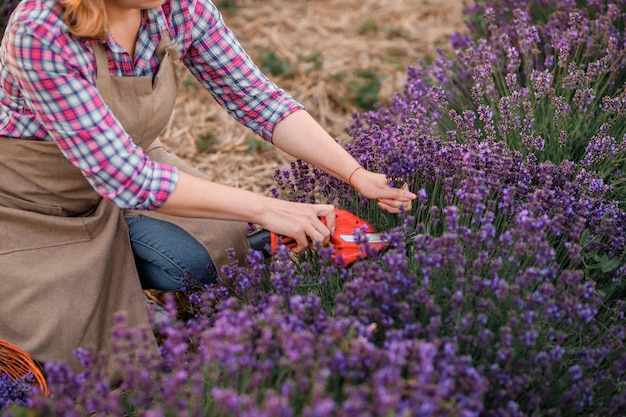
[(217, 59)]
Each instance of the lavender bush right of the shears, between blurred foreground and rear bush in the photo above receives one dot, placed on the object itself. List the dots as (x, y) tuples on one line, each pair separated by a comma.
[(501, 257)]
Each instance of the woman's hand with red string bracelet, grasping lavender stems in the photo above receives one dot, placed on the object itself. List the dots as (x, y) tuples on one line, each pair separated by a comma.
[(376, 186)]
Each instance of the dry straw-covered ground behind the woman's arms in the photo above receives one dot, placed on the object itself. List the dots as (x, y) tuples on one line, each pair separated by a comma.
[(322, 44)]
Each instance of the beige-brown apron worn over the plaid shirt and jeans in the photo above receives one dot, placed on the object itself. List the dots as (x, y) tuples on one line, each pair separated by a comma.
[(66, 266)]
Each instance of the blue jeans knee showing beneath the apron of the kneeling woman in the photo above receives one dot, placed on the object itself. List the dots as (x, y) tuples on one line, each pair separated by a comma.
[(167, 257)]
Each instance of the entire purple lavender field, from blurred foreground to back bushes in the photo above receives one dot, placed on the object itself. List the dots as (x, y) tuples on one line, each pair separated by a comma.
[(501, 294)]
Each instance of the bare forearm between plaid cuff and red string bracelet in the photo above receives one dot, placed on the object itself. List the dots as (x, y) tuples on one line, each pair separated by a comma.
[(302, 137)]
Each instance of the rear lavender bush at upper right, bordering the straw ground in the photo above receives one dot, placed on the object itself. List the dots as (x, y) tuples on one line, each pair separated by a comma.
[(553, 88)]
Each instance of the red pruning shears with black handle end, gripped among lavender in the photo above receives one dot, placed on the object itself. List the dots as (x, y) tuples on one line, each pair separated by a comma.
[(349, 239)]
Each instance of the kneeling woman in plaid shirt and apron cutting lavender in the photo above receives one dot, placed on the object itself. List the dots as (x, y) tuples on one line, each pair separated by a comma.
[(92, 207)]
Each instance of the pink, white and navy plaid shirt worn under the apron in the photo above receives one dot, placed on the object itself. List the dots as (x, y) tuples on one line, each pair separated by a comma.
[(48, 92)]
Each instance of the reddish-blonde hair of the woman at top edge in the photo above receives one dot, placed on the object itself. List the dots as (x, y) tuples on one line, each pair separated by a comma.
[(85, 18)]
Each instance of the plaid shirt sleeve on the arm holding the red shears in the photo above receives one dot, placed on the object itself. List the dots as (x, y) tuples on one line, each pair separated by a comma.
[(67, 104)]
